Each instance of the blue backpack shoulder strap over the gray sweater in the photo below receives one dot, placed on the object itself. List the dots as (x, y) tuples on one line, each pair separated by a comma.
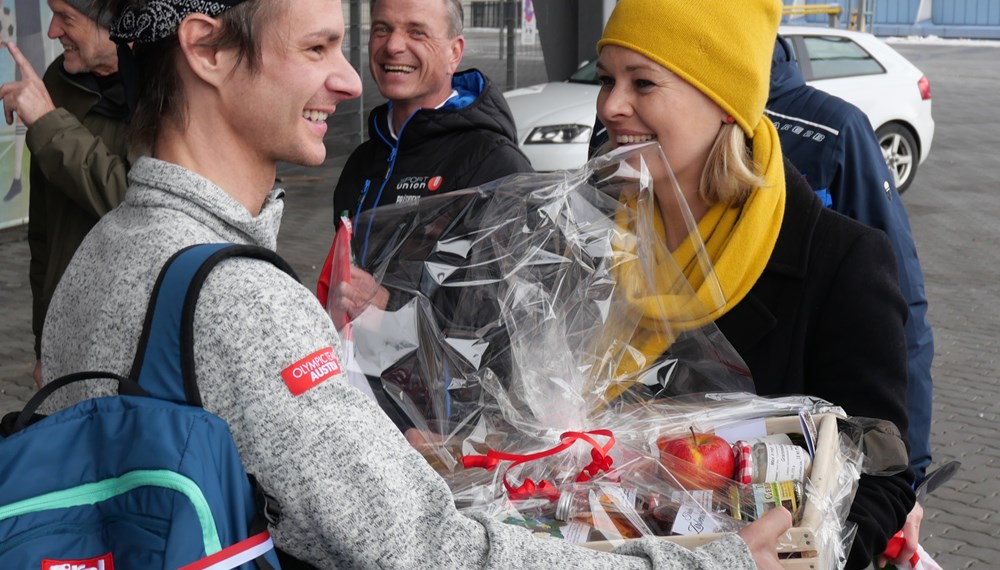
[(166, 345)]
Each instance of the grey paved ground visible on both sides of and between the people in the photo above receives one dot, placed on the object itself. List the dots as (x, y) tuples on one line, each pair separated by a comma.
[(954, 205)]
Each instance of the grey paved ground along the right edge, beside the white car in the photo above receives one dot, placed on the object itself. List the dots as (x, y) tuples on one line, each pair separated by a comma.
[(954, 207)]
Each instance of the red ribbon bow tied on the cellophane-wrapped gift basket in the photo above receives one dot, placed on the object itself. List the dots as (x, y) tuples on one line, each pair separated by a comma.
[(527, 489)]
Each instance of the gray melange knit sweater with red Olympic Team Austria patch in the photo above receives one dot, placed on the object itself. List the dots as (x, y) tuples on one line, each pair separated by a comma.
[(354, 494)]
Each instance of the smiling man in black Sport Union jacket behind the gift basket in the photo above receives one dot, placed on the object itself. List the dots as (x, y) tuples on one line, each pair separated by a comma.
[(440, 130)]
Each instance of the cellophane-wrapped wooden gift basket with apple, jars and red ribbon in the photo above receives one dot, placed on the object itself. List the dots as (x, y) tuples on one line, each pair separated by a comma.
[(558, 364)]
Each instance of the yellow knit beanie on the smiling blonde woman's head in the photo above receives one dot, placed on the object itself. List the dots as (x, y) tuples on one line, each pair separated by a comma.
[(722, 47)]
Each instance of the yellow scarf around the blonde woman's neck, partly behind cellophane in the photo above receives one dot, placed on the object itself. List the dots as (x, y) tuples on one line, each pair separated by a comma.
[(702, 279)]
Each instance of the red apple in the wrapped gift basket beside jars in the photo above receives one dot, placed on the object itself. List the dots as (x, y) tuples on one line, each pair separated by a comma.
[(707, 452)]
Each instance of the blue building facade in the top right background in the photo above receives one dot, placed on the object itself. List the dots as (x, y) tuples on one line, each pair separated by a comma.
[(977, 19)]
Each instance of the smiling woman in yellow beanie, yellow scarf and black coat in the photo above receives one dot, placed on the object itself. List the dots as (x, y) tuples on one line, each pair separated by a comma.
[(811, 300)]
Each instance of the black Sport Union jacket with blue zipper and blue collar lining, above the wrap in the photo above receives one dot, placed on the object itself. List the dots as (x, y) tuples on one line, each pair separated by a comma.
[(467, 142)]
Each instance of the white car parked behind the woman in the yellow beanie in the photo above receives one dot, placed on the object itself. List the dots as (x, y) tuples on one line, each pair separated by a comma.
[(554, 120)]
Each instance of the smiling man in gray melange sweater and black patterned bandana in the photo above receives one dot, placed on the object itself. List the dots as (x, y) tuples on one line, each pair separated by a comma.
[(251, 83)]
